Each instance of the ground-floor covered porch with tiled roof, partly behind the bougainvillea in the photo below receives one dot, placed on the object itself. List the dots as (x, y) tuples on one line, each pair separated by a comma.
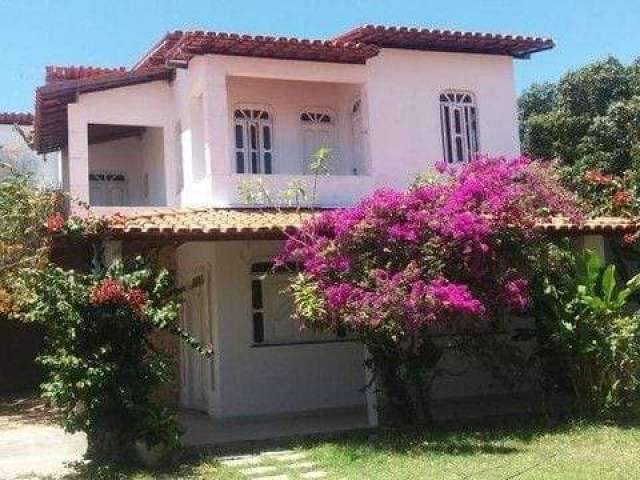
[(259, 387)]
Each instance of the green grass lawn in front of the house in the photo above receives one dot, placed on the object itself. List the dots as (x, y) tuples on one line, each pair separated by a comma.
[(567, 452)]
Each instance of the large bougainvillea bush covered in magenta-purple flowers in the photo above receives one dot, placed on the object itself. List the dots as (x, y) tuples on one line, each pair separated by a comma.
[(454, 255)]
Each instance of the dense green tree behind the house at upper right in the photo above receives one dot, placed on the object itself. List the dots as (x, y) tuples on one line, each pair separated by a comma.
[(589, 120)]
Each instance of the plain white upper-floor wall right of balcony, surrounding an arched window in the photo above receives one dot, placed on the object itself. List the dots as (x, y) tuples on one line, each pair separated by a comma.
[(403, 89)]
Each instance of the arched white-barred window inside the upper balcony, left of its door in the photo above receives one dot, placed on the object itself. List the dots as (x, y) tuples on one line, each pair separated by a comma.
[(254, 140)]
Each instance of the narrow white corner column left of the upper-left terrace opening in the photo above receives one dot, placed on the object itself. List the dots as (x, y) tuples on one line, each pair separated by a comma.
[(78, 157)]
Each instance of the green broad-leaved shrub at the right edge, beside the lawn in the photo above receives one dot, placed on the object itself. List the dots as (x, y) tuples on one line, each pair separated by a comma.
[(592, 331)]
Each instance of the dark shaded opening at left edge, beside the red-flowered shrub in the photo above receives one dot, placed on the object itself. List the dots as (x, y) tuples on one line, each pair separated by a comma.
[(20, 344)]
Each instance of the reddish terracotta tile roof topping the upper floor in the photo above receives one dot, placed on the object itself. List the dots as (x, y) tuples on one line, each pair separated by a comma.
[(177, 48)]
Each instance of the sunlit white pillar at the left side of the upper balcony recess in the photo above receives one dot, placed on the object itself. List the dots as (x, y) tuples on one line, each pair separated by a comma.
[(216, 121)]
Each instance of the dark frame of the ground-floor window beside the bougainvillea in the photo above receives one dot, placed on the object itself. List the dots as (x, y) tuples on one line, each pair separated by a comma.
[(257, 308)]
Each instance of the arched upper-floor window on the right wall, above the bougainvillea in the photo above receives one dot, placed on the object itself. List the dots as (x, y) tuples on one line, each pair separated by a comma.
[(459, 124)]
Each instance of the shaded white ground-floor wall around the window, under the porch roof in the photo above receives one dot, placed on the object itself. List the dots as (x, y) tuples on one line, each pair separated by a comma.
[(267, 379)]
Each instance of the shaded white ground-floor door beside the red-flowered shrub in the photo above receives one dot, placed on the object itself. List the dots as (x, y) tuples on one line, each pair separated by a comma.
[(196, 370)]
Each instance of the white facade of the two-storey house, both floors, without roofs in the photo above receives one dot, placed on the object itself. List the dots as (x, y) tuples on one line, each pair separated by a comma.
[(383, 124)]
